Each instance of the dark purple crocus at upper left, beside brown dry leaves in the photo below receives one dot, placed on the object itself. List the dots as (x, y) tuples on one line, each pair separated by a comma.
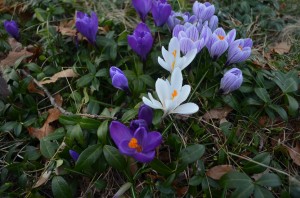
[(87, 26)]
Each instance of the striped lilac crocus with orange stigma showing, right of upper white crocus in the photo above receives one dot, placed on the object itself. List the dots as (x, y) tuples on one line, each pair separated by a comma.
[(219, 42)]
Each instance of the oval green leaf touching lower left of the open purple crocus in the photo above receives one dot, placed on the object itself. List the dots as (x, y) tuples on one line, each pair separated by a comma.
[(114, 158)]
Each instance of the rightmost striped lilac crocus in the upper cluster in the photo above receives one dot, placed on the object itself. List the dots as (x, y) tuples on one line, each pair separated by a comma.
[(239, 51)]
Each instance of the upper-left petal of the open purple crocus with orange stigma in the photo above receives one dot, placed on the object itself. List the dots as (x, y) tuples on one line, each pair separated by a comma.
[(119, 132)]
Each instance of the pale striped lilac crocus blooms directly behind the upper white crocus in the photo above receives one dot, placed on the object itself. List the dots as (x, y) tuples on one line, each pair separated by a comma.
[(190, 38)]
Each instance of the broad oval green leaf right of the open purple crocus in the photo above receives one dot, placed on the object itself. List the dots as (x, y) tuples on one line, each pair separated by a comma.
[(191, 153)]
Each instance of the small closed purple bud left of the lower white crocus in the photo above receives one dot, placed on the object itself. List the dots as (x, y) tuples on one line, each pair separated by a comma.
[(118, 78)]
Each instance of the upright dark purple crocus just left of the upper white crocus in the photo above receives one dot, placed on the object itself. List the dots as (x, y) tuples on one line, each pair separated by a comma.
[(141, 41)]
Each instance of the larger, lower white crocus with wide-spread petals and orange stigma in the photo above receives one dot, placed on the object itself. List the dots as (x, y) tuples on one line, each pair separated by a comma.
[(171, 95)]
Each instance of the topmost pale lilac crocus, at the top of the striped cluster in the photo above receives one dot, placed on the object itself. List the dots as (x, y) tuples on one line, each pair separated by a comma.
[(203, 11)]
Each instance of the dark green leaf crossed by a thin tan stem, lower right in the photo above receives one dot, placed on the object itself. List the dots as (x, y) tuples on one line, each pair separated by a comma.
[(262, 158)]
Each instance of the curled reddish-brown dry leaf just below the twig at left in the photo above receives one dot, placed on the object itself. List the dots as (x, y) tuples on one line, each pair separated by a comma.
[(46, 129)]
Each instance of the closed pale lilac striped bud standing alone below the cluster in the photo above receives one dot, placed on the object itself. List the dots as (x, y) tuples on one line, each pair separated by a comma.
[(232, 80)]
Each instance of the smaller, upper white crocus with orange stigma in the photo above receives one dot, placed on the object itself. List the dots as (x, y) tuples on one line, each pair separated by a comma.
[(172, 57)]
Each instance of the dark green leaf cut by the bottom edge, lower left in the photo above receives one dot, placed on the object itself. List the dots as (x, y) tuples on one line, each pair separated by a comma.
[(60, 187)]
